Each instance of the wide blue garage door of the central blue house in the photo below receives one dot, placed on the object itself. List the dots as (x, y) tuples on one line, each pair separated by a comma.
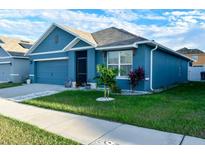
[(52, 71)]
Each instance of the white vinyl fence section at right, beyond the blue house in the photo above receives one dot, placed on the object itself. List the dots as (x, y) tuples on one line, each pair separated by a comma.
[(194, 73)]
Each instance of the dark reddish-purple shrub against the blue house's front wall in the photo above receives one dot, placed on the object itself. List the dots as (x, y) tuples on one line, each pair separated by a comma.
[(135, 76)]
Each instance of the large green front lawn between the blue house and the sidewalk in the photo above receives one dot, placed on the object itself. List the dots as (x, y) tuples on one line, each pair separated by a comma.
[(180, 109)]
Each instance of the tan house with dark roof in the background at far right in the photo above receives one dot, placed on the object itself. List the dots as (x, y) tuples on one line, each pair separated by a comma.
[(197, 55)]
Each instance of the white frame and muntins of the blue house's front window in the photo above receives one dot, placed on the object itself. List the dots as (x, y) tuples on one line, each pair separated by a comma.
[(119, 64)]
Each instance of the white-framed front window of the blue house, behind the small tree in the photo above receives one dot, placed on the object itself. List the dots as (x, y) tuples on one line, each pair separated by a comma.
[(121, 60)]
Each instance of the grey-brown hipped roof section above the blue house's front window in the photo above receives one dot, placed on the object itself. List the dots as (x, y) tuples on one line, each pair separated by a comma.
[(115, 37)]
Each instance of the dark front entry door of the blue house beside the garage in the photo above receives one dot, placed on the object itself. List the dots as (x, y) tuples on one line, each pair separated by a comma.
[(81, 67)]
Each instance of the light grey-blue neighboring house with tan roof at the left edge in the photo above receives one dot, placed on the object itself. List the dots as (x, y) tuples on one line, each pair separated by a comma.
[(14, 66)]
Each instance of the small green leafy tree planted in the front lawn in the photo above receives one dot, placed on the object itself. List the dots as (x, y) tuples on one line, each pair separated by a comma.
[(106, 77)]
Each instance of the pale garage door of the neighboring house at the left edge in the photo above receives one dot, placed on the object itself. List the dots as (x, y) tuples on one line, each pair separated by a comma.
[(5, 72)]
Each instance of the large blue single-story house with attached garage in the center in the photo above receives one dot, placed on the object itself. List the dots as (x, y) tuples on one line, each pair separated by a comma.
[(66, 54)]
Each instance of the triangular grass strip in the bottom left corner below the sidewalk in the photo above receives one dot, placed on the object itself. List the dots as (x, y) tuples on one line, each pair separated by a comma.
[(16, 132)]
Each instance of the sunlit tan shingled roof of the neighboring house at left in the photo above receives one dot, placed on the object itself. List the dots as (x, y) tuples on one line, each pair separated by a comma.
[(15, 46)]
